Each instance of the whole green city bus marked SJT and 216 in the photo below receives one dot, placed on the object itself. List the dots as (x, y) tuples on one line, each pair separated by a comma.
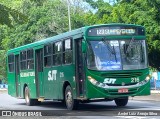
[(94, 63)]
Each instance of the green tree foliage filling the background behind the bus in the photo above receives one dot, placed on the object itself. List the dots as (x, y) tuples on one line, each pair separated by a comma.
[(26, 21)]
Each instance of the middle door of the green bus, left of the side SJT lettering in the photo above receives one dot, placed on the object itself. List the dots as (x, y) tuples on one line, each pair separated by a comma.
[(39, 72)]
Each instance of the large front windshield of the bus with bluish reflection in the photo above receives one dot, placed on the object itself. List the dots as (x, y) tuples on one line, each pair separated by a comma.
[(117, 55)]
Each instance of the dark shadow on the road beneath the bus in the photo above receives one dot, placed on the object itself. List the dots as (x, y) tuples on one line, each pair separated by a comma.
[(96, 106)]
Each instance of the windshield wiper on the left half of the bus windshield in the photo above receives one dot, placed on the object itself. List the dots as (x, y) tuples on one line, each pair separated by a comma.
[(109, 47)]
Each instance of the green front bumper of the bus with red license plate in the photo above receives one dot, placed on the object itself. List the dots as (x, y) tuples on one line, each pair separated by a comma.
[(101, 90)]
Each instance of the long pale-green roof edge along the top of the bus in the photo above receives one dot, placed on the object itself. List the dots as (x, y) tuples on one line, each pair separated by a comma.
[(65, 35)]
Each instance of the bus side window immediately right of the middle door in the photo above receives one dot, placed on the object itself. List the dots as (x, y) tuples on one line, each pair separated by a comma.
[(47, 55)]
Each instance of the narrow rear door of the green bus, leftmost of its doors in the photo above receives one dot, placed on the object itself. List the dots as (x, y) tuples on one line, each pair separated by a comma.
[(17, 76)]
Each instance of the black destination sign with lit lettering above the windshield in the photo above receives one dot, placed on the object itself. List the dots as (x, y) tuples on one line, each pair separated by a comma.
[(103, 31)]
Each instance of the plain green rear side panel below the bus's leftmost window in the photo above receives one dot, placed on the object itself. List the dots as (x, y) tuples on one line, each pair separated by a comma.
[(11, 84)]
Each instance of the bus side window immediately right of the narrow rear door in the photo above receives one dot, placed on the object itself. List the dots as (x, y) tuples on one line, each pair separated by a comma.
[(23, 60)]
